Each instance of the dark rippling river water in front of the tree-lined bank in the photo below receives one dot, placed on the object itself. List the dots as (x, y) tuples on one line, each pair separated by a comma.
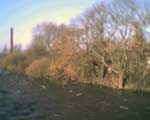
[(24, 99)]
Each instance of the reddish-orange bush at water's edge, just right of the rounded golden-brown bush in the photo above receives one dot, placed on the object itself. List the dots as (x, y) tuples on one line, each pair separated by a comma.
[(63, 69)]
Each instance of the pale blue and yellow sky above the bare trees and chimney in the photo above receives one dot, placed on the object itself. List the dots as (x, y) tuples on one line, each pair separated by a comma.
[(23, 15)]
